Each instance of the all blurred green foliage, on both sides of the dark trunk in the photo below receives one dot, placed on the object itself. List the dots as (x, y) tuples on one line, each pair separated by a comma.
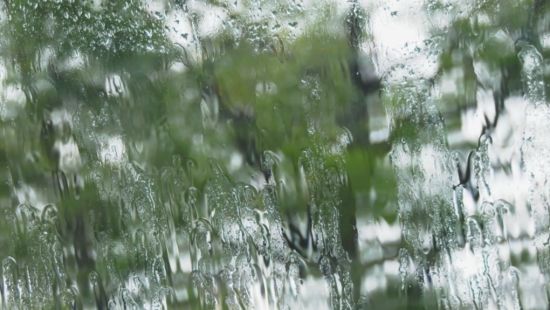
[(254, 101)]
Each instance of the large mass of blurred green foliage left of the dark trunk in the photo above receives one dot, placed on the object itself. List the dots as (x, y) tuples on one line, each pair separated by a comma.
[(89, 72)]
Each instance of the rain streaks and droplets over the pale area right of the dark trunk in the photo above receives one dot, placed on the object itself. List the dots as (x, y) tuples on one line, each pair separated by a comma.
[(475, 248)]
